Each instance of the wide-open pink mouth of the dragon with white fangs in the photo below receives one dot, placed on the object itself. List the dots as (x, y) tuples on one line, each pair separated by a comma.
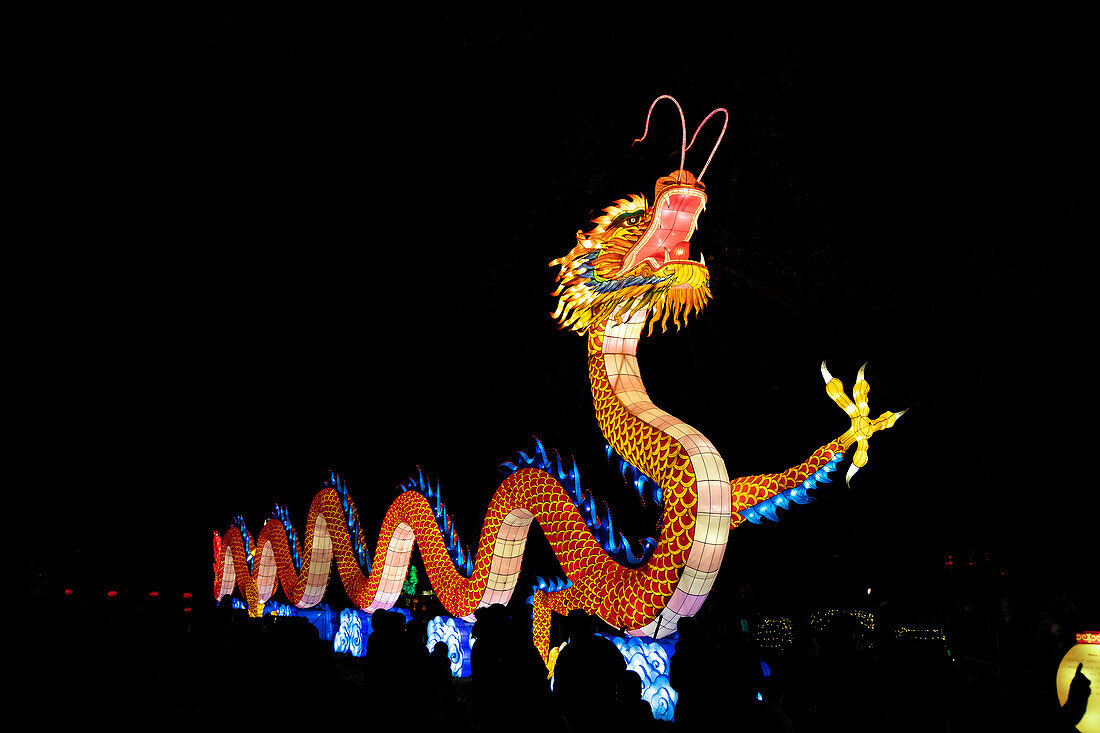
[(667, 240)]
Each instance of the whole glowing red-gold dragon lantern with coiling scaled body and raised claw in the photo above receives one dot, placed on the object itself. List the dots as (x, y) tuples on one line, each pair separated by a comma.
[(634, 270)]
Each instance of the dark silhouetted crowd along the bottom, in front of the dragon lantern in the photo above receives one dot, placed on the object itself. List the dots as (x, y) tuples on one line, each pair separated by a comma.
[(148, 666)]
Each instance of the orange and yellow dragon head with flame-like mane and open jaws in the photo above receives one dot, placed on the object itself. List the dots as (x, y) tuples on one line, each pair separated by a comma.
[(637, 258)]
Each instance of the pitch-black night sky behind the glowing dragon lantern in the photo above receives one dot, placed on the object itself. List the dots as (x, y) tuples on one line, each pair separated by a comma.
[(257, 244)]
